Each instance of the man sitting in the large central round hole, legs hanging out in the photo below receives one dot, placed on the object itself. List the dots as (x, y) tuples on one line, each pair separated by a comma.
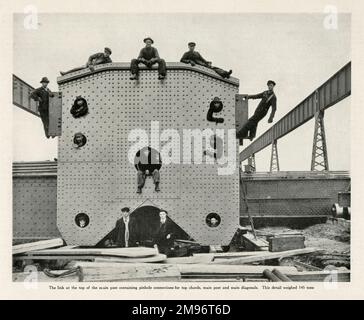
[(148, 163)]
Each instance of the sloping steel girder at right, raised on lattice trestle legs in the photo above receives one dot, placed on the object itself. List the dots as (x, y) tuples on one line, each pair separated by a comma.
[(331, 92)]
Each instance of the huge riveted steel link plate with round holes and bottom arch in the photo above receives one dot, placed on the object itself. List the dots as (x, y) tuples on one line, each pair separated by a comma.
[(98, 178)]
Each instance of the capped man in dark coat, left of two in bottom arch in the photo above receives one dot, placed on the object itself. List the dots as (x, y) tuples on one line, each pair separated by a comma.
[(126, 232)]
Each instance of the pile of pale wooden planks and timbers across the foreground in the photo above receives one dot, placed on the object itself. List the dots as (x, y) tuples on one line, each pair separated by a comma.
[(147, 264)]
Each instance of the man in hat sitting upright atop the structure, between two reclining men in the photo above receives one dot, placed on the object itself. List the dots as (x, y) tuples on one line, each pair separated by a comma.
[(148, 56)]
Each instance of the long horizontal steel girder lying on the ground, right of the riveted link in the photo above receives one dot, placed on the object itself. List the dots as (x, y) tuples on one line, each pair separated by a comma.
[(292, 194)]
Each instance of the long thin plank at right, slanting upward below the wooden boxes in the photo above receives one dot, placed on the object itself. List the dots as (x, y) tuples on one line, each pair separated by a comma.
[(266, 256)]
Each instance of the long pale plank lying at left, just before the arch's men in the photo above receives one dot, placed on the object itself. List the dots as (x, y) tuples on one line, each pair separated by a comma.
[(137, 252)]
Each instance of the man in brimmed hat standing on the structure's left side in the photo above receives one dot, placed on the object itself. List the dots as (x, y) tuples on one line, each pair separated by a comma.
[(42, 95)]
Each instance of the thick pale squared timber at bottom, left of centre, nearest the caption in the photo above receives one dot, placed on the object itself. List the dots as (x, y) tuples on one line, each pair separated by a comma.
[(100, 271)]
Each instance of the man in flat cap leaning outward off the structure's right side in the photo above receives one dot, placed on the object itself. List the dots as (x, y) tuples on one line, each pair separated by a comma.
[(269, 99)]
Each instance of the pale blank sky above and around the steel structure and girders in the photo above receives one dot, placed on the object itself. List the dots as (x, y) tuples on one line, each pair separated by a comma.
[(295, 50)]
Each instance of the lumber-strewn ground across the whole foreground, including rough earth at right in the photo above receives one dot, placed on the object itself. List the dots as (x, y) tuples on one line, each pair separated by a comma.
[(318, 253)]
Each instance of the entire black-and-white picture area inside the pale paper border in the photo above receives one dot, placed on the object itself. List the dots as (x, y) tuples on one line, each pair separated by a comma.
[(198, 148)]
